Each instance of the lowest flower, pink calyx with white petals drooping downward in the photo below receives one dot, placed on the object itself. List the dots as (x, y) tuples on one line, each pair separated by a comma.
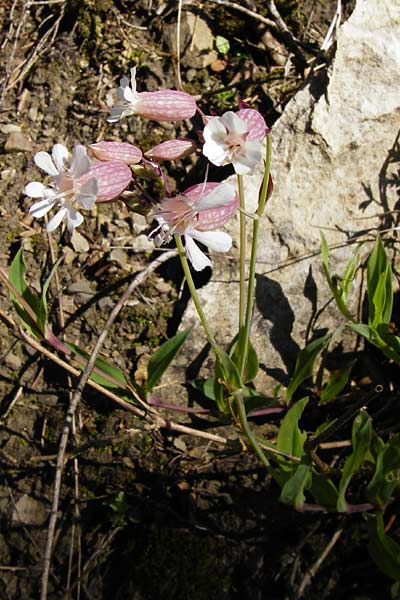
[(196, 214)]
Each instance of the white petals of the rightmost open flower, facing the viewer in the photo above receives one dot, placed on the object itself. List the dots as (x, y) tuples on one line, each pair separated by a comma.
[(226, 141)]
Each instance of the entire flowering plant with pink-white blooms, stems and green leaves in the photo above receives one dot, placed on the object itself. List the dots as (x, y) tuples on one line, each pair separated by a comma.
[(194, 219)]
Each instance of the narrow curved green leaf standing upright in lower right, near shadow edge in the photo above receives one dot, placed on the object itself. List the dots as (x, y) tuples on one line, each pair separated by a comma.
[(361, 439)]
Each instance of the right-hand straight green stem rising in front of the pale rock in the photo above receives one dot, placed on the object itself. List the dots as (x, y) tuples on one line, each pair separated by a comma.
[(252, 268)]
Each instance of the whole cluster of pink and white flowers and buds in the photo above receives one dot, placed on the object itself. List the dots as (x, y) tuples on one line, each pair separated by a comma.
[(106, 169)]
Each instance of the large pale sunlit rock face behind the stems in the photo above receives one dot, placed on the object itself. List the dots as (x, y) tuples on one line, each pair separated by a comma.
[(334, 153)]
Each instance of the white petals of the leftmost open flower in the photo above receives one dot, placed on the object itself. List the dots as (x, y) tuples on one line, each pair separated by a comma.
[(65, 189)]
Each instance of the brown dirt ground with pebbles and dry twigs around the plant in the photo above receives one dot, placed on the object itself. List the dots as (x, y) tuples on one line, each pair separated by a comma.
[(144, 513)]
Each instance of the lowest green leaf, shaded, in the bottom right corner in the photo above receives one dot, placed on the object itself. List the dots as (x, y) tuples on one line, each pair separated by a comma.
[(384, 551)]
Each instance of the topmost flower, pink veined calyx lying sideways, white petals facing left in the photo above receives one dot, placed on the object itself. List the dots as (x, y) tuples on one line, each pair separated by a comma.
[(162, 105)]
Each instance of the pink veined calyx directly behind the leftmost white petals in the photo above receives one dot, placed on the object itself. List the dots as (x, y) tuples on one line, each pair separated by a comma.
[(112, 178)]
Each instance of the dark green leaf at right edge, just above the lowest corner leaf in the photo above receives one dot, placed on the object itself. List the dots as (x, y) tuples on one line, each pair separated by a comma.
[(385, 479)]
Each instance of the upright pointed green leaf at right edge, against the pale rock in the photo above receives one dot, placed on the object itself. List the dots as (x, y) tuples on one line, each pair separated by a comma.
[(379, 284)]
